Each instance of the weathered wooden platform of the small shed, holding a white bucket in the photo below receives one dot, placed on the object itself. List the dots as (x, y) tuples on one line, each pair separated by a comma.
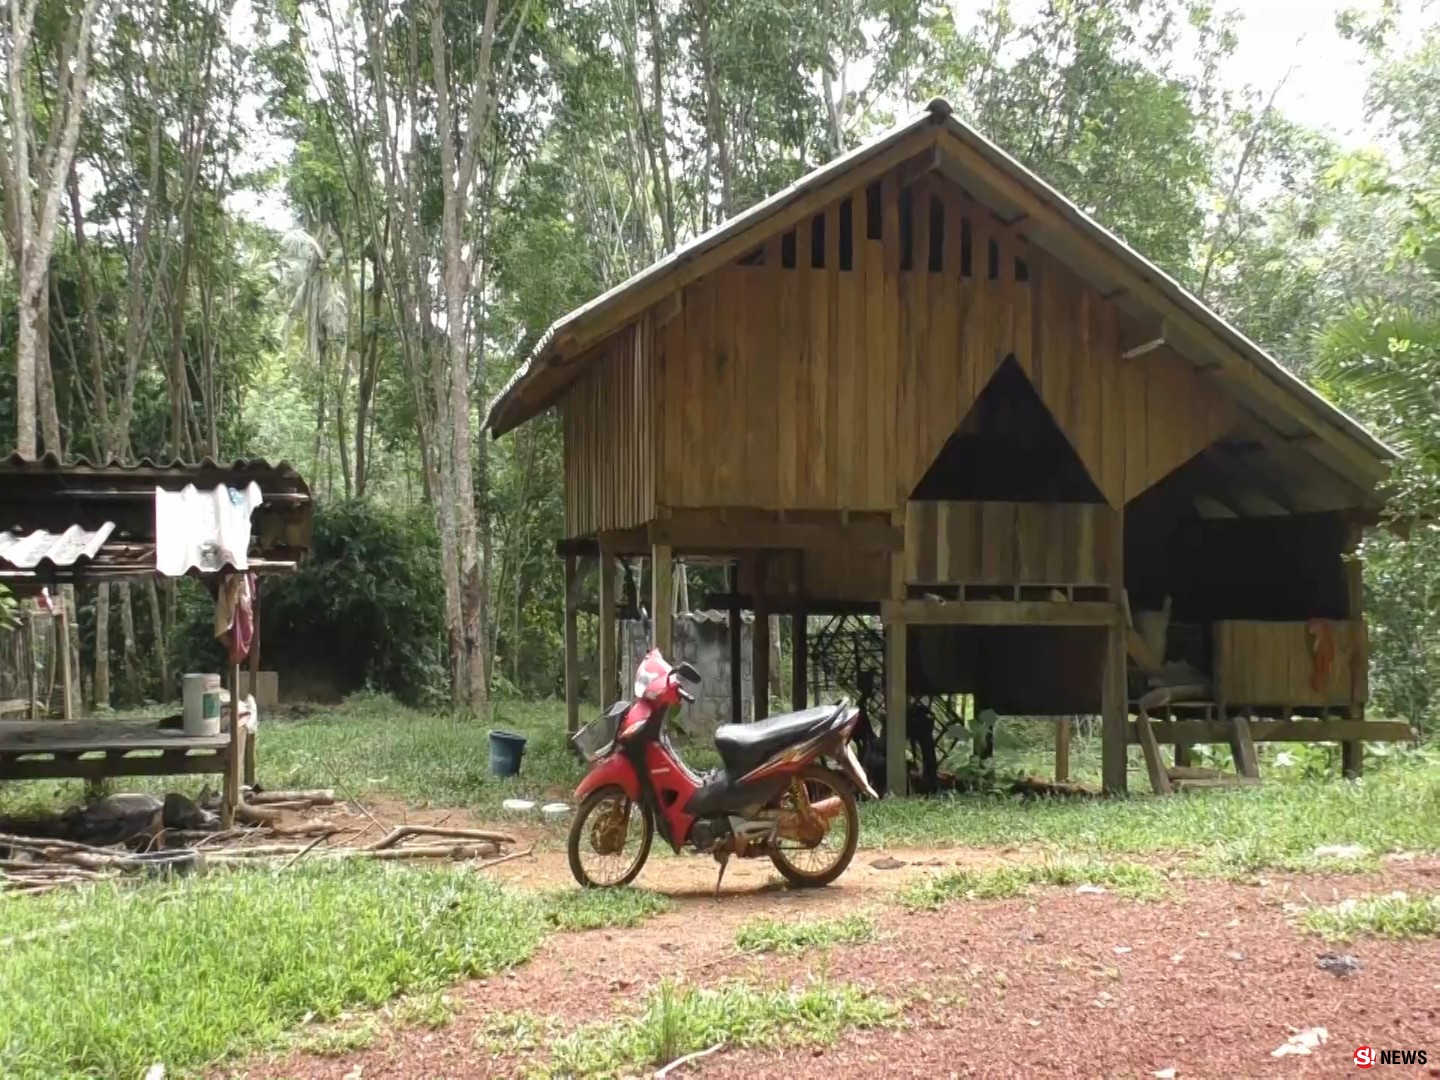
[(96, 750)]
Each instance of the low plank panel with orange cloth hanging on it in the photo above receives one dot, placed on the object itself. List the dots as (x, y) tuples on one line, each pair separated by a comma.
[(1271, 665)]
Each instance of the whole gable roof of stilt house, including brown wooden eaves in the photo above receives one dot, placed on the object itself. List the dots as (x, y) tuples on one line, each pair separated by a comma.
[(1048, 220)]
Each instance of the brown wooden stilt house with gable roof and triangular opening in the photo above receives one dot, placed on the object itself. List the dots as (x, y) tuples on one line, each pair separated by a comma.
[(922, 385)]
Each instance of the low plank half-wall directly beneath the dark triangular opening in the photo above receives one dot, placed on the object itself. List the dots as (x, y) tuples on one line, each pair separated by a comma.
[(1009, 544)]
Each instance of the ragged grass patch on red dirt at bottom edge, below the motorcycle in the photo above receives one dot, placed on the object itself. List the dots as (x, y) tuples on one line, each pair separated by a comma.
[(679, 1020)]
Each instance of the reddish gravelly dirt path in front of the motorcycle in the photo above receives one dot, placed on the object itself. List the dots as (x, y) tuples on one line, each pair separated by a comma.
[(1061, 984)]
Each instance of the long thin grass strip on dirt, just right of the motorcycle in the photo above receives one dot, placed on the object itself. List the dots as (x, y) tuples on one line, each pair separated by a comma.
[(1002, 883)]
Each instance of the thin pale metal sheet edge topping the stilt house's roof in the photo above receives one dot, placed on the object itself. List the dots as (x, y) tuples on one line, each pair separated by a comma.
[(941, 116)]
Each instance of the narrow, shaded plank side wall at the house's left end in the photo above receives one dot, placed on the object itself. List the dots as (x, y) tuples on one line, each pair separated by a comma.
[(610, 437)]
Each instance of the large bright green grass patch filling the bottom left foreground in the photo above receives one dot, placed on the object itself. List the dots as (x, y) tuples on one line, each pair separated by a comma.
[(197, 971)]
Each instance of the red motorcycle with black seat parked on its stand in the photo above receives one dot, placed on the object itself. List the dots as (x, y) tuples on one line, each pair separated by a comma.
[(773, 798)]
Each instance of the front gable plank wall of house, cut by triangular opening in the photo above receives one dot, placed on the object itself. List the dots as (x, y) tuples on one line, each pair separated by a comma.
[(829, 368)]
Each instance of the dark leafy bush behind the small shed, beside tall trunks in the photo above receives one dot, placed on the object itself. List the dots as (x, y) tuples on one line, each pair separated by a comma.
[(365, 610)]
